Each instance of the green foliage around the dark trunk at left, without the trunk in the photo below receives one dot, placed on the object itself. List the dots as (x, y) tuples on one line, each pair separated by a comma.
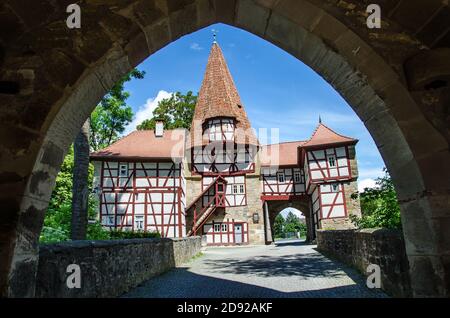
[(108, 121)]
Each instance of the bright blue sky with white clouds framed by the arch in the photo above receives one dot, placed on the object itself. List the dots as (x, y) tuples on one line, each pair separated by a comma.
[(277, 90)]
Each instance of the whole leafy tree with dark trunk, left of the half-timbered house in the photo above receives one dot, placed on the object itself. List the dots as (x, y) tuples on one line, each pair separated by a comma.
[(108, 121)]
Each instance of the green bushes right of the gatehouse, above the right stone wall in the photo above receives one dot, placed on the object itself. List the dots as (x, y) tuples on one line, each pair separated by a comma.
[(379, 206)]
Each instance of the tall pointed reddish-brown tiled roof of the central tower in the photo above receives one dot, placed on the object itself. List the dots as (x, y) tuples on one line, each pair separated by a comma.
[(219, 97)]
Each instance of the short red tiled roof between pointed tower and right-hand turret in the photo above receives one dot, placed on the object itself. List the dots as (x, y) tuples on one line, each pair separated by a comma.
[(283, 154)]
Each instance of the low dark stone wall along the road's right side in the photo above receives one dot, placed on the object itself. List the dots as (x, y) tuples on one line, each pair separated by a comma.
[(382, 247)]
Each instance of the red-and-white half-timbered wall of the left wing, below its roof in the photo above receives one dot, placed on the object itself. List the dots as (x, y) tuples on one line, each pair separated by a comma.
[(143, 196)]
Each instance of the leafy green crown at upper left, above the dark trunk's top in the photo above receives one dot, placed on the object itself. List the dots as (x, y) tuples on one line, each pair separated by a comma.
[(112, 114)]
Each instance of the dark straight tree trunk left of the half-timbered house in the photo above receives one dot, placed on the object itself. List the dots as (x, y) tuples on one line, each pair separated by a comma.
[(80, 190)]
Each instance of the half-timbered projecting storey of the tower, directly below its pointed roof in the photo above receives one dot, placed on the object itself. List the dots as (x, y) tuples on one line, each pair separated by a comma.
[(212, 161)]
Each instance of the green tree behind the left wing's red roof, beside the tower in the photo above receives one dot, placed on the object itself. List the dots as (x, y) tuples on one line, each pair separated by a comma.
[(176, 111)]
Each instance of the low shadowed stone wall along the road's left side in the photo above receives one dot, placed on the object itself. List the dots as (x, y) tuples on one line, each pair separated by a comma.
[(109, 268)]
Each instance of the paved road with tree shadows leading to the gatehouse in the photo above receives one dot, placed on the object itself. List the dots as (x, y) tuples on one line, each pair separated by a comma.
[(288, 269)]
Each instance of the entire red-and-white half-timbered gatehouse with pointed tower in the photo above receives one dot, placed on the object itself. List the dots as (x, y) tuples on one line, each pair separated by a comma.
[(217, 180)]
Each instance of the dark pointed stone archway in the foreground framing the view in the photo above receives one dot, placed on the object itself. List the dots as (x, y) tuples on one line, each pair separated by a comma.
[(52, 77)]
